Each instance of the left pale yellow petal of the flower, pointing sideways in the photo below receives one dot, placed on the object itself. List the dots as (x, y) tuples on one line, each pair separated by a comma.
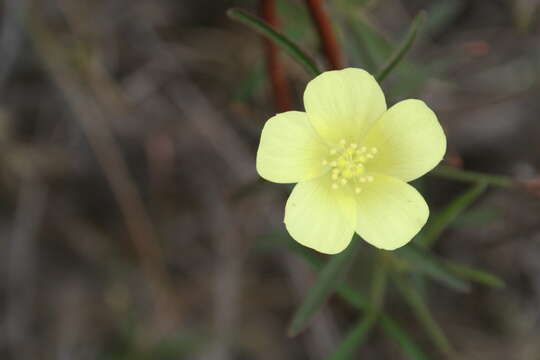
[(290, 150)]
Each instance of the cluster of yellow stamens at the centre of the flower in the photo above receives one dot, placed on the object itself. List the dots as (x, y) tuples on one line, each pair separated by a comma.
[(347, 165)]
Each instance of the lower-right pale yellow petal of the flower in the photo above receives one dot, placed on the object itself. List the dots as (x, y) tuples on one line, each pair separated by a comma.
[(390, 212)]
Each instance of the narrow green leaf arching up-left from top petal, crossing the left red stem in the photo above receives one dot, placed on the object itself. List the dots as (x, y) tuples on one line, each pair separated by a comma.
[(279, 39)]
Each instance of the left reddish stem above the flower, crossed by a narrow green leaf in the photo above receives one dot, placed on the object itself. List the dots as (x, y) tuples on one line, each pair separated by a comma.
[(274, 67)]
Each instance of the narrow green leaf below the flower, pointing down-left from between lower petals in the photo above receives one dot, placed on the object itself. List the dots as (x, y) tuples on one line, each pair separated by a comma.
[(326, 283)]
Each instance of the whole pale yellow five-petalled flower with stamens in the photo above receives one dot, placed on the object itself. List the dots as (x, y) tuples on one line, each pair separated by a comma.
[(352, 159)]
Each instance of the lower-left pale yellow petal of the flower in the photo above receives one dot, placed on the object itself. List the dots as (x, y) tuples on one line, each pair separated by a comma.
[(320, 217)]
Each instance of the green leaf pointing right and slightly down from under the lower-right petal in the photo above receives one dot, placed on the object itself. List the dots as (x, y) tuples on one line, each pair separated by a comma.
[(428, 264)]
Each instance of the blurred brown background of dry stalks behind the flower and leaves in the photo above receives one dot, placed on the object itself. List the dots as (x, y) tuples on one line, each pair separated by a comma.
[(132, 225)]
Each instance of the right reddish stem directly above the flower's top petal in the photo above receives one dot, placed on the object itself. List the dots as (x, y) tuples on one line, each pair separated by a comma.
[(326, 34)]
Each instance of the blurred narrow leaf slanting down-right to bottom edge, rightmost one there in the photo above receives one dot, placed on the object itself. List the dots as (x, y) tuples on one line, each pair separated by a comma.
[(422, 312)]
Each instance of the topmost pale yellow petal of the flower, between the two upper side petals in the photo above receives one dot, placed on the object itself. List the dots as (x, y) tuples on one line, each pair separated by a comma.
[(342, 104)]
